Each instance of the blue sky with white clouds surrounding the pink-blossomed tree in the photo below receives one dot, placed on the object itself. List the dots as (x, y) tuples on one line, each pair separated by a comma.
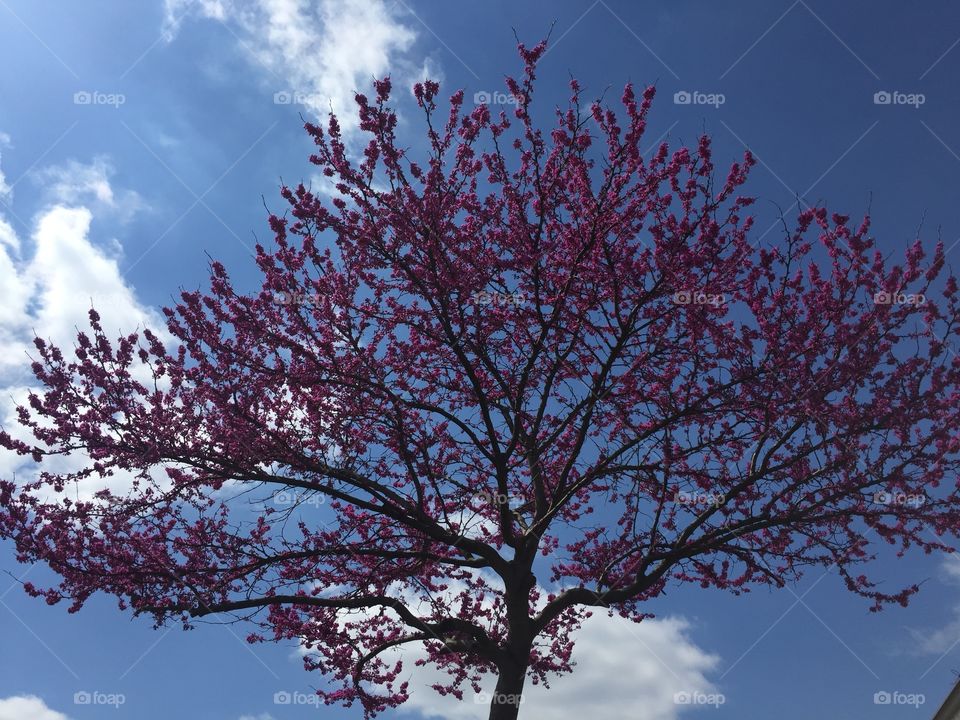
[(135, 138)]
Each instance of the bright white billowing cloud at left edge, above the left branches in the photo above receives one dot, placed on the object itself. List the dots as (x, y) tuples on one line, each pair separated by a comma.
[(50, 283)]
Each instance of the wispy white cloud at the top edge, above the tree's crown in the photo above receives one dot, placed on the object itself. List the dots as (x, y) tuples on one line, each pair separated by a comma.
[(325, 50)]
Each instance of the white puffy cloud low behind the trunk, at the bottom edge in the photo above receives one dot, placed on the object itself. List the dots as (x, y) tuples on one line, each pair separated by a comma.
[(619, 664)]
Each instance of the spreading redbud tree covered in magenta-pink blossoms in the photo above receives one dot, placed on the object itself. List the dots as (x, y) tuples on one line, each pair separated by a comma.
[(533, 374)]
